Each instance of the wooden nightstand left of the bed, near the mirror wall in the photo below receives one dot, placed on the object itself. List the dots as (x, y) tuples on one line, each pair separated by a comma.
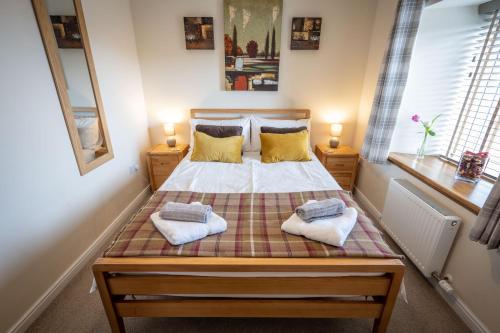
[(162, 160)]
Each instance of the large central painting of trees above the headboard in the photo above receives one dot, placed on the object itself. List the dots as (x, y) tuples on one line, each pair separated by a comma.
[(252, 39)]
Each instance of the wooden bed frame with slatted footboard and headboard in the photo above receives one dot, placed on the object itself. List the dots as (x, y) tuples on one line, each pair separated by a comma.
[(119, 277)]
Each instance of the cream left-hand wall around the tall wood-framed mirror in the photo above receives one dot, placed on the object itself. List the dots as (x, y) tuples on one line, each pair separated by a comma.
[(49, 214)]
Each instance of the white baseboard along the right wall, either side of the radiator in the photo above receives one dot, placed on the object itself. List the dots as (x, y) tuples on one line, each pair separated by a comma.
[(456, 303)]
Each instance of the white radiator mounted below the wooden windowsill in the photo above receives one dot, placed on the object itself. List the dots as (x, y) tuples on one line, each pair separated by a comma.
[(424, 230)]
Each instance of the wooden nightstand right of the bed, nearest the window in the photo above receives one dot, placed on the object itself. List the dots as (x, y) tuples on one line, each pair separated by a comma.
[(341, 162)]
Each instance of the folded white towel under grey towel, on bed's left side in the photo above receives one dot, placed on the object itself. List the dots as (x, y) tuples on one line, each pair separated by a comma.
[(178, 233)]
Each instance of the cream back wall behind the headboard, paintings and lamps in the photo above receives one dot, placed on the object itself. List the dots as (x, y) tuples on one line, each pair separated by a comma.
[(328, 81)]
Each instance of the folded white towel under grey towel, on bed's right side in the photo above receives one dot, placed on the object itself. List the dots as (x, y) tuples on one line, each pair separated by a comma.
[(333, 231)]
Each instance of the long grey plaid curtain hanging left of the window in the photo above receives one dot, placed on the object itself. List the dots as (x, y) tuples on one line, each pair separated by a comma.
[(391, 82)]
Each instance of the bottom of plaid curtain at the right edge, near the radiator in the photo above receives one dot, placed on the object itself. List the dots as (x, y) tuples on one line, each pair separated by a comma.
[(487, 228)]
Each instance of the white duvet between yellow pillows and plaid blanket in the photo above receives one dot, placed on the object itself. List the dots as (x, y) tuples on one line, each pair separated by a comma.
[(251, 176)]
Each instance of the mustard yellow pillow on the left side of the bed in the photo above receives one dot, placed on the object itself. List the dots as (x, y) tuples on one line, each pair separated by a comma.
[(210, 149)]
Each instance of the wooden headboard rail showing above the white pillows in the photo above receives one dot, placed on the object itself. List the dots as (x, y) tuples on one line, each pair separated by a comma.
[(219, 114)]
